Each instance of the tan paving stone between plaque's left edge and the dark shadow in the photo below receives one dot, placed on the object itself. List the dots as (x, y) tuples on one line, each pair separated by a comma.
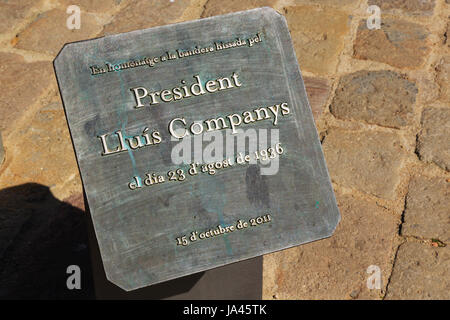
[(43, 152)]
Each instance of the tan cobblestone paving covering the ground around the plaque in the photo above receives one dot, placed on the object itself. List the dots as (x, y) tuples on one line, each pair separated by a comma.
[(380, 98)]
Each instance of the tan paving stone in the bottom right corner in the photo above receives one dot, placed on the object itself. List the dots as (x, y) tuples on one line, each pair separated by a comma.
[(420, 272)]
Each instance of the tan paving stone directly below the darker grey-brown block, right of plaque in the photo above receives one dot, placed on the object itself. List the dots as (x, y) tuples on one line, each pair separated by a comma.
[(369, 161)]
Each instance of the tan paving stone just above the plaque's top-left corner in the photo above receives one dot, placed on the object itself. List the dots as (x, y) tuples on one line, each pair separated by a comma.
[(48, 32)]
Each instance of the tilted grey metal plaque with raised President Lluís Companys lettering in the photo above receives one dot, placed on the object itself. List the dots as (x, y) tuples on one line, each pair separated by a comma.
[(196, 145)]
